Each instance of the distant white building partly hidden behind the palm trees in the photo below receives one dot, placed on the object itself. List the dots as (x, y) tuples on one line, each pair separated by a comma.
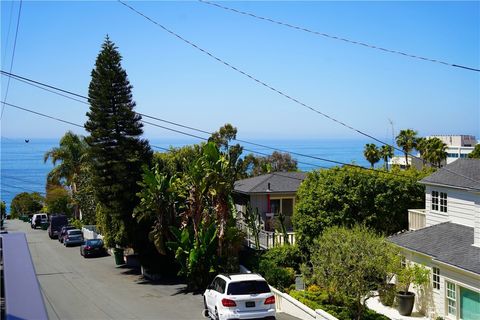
[(458, 147)]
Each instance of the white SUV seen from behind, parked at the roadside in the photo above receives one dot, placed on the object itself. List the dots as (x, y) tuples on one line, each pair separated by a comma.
[(239, 296)]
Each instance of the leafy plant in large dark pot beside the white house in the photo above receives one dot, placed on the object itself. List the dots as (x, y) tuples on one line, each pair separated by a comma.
[(411, 274)]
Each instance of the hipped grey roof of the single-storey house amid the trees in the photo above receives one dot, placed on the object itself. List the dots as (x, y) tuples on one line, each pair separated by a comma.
[(276, 182)]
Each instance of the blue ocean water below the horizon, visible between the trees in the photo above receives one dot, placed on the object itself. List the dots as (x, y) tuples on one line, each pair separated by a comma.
[(23, 168)]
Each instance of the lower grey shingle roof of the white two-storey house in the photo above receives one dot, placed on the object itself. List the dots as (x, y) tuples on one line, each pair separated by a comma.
[(446, 242)]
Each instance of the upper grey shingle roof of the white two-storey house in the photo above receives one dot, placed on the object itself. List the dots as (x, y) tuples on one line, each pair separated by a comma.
[(462, 173)]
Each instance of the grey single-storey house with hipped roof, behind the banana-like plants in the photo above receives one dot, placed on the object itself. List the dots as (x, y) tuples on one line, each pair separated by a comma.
[(269, 194)]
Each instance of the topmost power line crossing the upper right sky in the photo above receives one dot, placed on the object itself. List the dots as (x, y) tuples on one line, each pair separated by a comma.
[(326, 35)]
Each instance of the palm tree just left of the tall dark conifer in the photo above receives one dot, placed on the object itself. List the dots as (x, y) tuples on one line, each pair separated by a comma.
[(71, 154)]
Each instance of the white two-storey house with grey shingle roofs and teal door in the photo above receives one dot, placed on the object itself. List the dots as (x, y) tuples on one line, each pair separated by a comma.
[(445, 237)]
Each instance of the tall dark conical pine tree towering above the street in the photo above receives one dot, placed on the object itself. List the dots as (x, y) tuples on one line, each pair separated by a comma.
[(117, 150)]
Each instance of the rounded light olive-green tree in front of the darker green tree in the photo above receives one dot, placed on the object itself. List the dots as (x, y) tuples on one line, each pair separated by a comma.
[(352, 262)]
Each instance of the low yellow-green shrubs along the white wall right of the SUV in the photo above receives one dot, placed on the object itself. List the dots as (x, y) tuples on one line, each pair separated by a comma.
[(341, 309)]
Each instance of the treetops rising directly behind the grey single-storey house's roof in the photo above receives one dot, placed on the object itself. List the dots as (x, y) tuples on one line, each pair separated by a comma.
[(276, 162)]
